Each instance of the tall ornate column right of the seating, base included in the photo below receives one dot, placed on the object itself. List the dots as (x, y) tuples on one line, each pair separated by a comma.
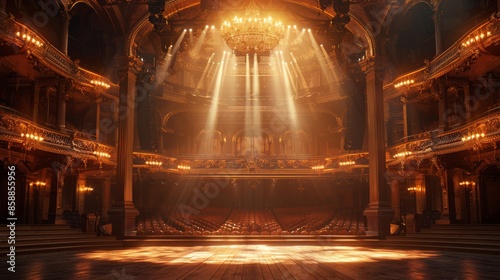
[(378, 212)]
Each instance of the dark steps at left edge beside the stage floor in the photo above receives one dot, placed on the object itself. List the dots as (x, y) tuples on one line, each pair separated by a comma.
[(42, 238)]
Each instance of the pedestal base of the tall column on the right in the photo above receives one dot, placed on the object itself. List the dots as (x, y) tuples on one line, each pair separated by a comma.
[(379, 219)]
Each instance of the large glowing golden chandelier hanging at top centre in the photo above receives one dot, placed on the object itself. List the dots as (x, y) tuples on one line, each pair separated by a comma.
[(252, 33)]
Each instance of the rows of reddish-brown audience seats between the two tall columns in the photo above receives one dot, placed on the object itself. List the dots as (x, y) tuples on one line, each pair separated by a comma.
[(280, 221)]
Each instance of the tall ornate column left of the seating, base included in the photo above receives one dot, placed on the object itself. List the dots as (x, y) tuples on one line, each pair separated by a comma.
[(123, 212)]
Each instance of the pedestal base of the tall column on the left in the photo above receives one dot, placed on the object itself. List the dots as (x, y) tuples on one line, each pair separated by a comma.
[(122, 218)]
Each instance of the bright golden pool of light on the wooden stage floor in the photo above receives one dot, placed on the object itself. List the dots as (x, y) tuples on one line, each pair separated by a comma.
[(254, 254)]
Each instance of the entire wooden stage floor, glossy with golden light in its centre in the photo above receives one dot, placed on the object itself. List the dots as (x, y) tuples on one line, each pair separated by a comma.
[(255, 262)]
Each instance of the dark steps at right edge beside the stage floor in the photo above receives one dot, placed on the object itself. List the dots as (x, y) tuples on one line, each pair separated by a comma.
[(462, 238)]
